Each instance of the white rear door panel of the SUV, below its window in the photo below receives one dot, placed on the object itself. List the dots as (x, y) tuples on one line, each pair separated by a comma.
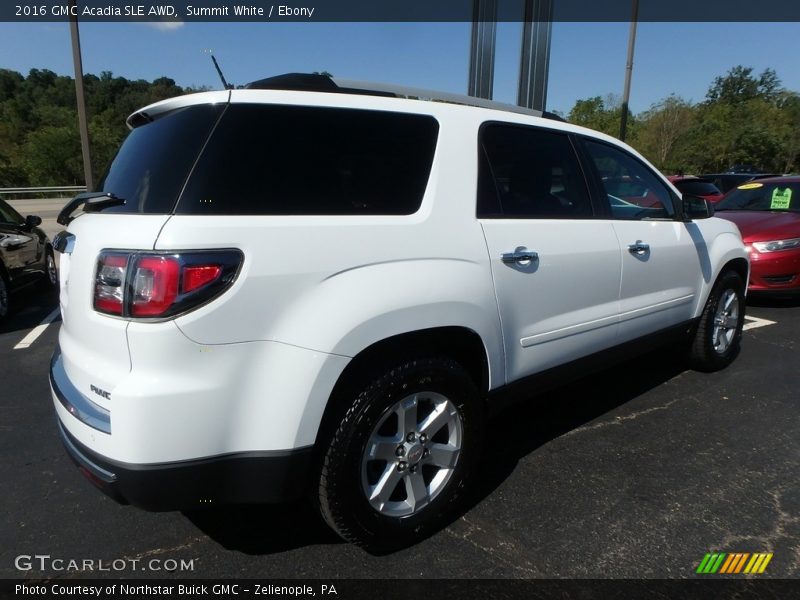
[(563, 306)]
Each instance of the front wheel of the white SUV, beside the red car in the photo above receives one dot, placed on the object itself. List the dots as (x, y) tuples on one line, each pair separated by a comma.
[(715, 345)]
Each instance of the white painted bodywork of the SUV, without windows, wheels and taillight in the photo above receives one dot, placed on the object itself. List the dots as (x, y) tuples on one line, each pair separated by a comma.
[(253, 370)]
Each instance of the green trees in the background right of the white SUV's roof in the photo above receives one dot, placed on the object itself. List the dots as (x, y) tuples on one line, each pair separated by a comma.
[(744, 119)]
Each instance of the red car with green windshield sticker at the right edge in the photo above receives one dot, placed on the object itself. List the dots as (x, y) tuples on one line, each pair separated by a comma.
[(767, 212)]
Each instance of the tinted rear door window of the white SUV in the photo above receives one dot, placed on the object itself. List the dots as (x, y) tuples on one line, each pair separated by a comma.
[(527, 173)]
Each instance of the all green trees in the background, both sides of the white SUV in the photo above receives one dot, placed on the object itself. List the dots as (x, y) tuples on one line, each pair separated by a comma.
[(744, 119)]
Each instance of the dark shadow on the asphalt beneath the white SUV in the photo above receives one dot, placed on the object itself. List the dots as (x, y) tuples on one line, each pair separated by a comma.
[(523, 427)]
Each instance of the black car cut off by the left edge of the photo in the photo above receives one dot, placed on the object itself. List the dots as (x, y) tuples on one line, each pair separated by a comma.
[(26, 255)]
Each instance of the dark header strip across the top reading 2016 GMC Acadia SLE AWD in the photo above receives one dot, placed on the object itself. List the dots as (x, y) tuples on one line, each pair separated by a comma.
[(392, 11)]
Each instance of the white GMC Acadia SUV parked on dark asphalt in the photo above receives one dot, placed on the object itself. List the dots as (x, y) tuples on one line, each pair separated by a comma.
[(316, 287)]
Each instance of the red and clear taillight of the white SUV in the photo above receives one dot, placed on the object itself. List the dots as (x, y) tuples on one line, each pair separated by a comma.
[(156, 285)]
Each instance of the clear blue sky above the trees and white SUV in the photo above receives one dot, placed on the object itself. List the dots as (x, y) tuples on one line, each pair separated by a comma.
[(587, 59)]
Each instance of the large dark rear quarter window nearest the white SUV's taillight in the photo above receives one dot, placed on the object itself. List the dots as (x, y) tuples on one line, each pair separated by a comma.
[(288, 160)]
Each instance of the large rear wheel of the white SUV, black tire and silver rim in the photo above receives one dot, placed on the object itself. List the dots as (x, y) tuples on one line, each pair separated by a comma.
[(436, 384)]
